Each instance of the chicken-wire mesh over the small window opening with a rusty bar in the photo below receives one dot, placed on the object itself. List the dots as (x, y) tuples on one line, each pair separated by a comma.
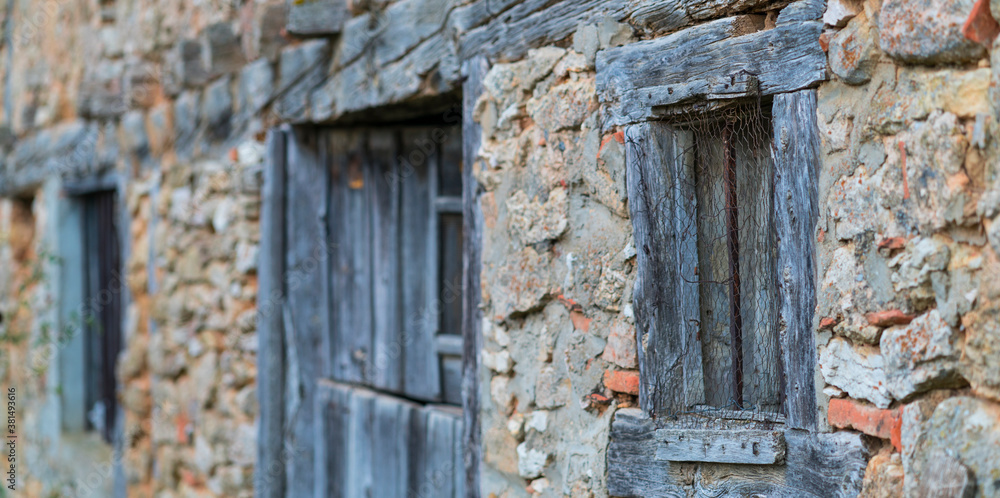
[(727, 171)]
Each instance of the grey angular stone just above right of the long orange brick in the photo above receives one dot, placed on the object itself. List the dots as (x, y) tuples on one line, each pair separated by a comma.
[(920, 356)]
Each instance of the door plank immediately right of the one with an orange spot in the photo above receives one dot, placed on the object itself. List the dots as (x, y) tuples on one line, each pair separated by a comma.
[(387, 344)]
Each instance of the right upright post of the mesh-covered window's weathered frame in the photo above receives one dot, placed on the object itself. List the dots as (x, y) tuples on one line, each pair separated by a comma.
[(796, 150)]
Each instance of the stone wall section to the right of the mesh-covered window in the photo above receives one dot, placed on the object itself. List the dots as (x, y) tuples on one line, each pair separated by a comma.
[(907, 256)]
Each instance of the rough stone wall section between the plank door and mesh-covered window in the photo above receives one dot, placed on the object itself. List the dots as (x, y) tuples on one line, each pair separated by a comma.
[(558, 334)]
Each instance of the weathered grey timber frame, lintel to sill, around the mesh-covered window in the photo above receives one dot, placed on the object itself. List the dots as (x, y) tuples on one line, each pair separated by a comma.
[(701, 69)]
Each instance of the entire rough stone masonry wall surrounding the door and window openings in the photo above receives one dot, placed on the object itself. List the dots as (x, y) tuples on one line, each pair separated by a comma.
[(174, 96)]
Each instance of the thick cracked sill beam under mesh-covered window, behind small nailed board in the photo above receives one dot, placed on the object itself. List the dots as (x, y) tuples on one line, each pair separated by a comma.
[(816, 465)]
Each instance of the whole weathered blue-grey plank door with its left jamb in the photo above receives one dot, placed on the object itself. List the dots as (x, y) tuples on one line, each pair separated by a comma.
[(362, 260)]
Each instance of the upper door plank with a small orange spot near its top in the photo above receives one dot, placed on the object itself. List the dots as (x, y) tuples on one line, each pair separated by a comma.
[(352, 283)]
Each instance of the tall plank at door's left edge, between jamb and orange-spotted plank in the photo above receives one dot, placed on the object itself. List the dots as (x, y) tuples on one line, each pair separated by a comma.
[(306, 288)]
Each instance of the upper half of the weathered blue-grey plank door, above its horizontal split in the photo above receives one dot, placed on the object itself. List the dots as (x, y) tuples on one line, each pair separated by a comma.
[(394, 326)]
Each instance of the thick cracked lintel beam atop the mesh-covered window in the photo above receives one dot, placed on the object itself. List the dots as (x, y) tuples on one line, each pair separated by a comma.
[(712, 61)]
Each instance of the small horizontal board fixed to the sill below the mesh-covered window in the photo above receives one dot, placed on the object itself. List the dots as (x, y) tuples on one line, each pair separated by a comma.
[(698, 445)]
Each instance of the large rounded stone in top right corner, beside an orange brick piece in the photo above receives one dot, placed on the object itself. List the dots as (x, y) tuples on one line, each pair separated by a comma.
[(927, 31)]
